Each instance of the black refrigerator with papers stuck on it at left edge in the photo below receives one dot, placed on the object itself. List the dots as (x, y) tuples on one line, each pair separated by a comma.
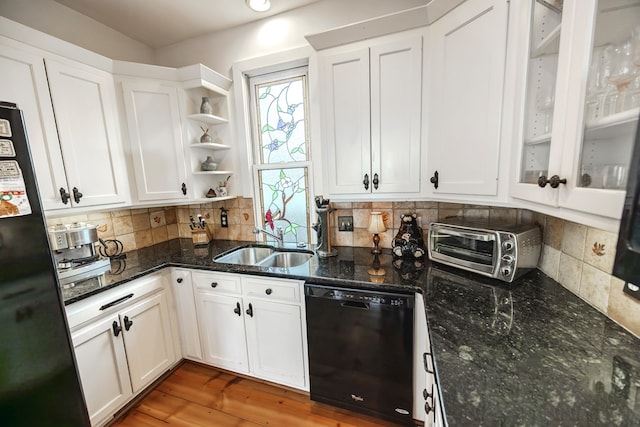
[(39, 384)]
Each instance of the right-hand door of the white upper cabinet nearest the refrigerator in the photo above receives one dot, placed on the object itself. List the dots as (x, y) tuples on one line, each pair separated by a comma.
[(86, 115)]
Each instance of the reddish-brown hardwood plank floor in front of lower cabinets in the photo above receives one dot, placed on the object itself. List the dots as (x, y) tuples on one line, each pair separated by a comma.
[(197, 395)]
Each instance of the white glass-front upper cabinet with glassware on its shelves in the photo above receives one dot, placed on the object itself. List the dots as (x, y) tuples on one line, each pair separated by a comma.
[(581, 102)]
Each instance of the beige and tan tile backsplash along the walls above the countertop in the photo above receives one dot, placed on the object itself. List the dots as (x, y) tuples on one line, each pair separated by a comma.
[(580, 258)]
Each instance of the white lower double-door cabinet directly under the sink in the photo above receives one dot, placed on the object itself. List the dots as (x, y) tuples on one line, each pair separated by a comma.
[(253, 325)]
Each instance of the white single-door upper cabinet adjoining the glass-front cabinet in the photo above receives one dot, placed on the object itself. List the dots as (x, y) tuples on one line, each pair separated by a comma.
[(464, 63)]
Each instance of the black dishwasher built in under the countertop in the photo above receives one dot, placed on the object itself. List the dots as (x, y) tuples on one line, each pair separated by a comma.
[(361, 350)]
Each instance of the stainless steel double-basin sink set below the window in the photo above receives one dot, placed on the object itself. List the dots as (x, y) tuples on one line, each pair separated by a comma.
[(264, 256)]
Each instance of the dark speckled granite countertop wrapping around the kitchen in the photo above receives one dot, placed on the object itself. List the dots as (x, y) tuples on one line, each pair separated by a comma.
[(529, 353)]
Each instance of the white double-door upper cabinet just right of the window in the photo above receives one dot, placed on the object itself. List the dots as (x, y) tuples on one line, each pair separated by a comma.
[(371, 105)]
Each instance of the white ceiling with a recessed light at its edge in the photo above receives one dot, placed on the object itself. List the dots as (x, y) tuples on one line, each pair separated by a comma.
[(160, 23)]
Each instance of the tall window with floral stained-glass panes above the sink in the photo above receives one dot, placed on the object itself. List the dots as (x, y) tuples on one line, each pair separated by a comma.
[(281, 152)]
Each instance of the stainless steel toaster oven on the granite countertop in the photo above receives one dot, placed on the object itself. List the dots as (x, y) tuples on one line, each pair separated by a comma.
[(494, 249)]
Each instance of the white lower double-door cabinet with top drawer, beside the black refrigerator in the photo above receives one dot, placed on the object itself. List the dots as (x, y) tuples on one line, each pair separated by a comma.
[(123, 341)]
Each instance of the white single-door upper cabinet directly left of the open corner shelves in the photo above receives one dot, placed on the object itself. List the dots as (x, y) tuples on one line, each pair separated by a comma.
[(155, 136)]
